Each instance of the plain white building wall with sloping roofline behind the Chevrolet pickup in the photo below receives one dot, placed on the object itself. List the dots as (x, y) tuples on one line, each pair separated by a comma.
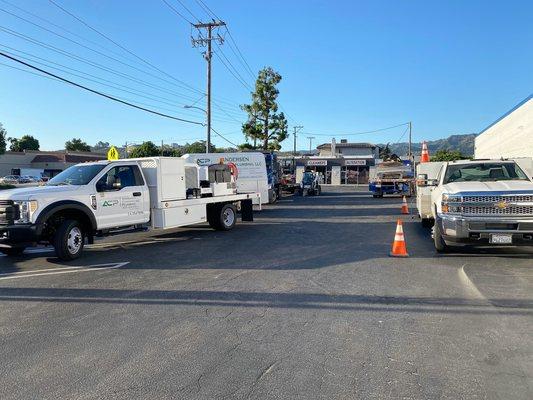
[(511, 136)]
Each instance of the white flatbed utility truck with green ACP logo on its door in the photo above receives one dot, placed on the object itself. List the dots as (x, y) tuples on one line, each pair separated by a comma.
[(105, 197)]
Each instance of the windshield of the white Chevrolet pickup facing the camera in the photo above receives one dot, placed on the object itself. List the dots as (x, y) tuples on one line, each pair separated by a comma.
[(484, 172)]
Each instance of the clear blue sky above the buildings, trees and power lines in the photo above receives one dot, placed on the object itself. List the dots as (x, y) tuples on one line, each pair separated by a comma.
[(348, 66)]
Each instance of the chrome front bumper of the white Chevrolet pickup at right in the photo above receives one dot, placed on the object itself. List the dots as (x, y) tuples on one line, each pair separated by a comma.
[(477, 230)]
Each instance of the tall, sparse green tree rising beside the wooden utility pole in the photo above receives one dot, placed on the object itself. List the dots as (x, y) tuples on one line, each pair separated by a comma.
[(264, 123)]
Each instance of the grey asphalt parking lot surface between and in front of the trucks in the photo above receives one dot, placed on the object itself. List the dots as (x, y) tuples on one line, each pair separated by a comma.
[(303, 303)]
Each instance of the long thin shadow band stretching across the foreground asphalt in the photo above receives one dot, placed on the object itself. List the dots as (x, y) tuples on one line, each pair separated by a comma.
[(272, 300)]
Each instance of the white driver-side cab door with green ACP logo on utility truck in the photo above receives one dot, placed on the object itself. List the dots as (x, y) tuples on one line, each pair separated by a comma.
[(122, 198)]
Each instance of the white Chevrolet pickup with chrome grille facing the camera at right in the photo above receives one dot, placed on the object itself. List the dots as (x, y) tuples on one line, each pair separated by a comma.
[(480, 202)]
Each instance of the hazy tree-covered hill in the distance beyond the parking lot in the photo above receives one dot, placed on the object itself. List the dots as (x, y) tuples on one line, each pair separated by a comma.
[(463, 143)]
